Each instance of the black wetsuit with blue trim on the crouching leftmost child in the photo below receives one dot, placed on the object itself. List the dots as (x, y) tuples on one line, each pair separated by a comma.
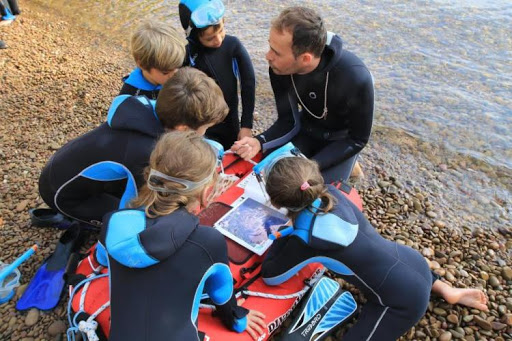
[(128, 137)]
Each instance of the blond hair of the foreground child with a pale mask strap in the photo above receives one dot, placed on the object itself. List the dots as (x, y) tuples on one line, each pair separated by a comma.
[(174, 155)]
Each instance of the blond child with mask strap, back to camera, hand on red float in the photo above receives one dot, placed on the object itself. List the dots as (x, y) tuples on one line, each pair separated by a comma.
[(160, 259)]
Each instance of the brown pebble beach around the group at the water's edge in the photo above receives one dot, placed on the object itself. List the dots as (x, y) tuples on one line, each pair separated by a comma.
[(57, 81)]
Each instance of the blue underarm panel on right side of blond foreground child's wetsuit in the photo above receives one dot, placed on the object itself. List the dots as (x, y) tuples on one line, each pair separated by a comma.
[(217, 282)]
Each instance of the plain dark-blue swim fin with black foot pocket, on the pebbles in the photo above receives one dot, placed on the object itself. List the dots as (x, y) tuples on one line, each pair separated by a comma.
[(45, 288)]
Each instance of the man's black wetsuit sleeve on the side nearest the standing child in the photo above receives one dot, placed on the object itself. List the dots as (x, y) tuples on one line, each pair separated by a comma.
[(287, 124)]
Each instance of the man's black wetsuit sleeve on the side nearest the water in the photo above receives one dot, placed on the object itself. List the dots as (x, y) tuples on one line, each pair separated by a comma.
[(360, 106)]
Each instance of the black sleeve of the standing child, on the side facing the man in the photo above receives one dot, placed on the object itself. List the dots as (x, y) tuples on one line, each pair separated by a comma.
[(248, 85)]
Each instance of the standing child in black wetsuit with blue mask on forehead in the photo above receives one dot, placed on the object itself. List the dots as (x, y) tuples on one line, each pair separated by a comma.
[(225, 59)]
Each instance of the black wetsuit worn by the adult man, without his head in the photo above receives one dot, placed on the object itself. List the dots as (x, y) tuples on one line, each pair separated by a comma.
[(334, 141)]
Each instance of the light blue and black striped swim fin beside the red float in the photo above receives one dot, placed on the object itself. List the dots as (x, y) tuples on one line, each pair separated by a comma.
[(326, 307)]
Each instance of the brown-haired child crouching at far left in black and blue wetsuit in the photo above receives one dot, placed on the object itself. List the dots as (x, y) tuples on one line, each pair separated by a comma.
[(190, 100)]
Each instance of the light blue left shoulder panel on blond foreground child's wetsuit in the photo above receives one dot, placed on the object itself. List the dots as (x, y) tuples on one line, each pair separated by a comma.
[(122, 239)]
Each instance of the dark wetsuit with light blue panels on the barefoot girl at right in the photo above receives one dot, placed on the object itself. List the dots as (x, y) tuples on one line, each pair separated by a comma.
[(394, 278)]
